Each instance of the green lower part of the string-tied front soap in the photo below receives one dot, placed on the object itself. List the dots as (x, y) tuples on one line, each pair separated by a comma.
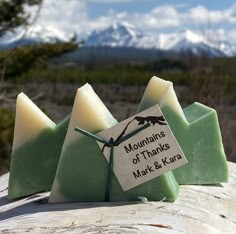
[(82, 177)]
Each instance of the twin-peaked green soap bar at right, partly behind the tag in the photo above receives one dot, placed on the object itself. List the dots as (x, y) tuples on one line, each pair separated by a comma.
[(197, 131)]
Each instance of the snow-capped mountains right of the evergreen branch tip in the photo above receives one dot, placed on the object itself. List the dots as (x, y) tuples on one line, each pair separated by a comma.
[(126, 35)]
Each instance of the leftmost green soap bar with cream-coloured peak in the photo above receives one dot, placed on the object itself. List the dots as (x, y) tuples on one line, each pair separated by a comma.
[(36, 150)]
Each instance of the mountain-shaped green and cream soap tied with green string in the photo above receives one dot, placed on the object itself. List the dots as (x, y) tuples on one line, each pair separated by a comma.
[(83, 170)]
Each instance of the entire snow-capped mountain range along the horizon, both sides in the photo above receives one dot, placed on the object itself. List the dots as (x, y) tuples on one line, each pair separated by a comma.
[(125, 35)]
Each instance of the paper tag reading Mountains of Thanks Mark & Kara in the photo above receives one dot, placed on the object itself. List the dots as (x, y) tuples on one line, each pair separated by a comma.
[(146, 155)]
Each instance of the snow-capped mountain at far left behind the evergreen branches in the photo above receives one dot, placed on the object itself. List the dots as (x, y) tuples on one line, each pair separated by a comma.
[(34, 35)]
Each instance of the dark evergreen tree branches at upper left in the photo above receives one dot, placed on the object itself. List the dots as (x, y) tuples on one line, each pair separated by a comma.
[(14, 62)]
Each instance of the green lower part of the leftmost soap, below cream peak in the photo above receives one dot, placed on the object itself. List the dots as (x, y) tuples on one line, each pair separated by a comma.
[(34, 164)]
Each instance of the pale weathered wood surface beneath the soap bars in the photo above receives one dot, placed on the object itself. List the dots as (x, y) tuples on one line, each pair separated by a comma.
[(199, 209)]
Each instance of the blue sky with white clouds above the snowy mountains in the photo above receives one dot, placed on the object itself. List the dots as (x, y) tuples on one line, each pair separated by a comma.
[(150, 16)]
